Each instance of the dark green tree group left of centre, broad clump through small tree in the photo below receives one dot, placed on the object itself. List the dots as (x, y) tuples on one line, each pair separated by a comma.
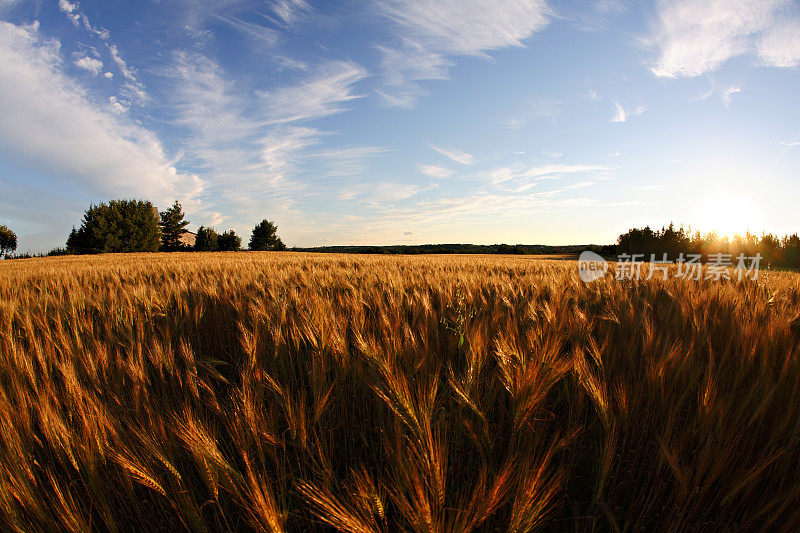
[(132, 226)]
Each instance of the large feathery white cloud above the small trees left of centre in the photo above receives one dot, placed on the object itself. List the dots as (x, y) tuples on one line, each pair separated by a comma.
[(257, 153)]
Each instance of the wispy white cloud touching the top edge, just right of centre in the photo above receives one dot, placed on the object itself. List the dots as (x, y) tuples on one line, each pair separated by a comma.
[(431, 30)]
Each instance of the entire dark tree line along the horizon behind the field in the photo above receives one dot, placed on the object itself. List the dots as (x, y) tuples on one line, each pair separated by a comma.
[(120, 226)]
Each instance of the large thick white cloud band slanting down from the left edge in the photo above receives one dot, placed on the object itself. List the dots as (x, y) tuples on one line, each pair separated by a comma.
[(52, 123)]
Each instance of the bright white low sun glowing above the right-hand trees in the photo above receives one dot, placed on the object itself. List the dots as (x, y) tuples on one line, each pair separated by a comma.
[(727, 213)]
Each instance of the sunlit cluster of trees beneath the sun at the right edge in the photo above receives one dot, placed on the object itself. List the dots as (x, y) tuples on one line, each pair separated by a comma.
[(775, 251)]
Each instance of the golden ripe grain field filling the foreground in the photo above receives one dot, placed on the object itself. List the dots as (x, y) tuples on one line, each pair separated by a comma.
[(283, 391)]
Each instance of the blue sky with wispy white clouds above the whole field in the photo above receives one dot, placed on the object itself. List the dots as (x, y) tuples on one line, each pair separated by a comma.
[(403, 121)]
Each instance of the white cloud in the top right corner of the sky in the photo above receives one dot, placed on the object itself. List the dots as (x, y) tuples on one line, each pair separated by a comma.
[(697, 36)]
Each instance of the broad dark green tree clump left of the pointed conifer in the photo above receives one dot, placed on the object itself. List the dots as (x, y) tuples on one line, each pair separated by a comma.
[(116, 226)]
